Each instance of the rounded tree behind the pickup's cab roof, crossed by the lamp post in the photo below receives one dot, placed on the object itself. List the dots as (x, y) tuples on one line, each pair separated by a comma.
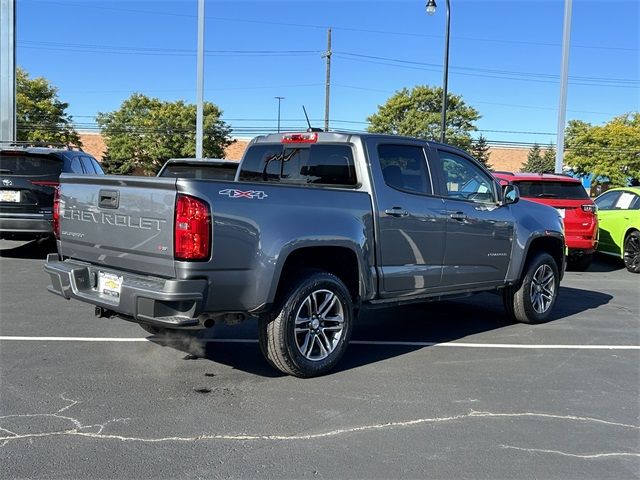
[(416, 113)]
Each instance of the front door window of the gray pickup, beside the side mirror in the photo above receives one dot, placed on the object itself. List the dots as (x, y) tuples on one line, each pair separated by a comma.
[(465, 180)]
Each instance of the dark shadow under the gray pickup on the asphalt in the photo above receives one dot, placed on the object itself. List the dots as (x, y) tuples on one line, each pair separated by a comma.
[(423, 324)]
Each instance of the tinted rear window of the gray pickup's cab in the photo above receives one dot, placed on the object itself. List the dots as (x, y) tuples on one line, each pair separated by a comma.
[(316, 164)]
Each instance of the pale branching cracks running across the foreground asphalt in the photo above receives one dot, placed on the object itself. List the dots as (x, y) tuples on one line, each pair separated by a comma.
[(80, 430)]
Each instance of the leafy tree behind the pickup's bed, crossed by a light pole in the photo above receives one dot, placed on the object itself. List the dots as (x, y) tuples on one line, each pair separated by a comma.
[(144, 132)]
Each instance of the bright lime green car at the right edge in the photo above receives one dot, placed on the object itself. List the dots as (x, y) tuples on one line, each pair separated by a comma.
[(619, 225)]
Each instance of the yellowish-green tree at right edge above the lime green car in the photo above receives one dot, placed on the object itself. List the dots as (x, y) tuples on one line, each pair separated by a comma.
[(611, 150)]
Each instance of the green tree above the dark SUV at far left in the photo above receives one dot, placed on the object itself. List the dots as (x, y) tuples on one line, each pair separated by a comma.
[(40, 115)]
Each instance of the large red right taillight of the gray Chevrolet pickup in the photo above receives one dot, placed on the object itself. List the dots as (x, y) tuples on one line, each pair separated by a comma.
[(192, 229)]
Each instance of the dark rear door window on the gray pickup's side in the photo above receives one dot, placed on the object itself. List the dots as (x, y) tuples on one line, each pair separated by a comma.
[(404, 167)]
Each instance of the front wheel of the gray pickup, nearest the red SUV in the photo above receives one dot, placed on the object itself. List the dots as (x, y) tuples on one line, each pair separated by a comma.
[(532, 301)]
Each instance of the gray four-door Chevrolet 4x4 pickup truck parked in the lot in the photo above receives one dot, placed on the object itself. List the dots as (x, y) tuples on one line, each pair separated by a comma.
[(315, 227)]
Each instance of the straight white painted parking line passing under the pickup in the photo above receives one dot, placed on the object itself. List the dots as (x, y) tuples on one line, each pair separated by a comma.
[(354, 342)]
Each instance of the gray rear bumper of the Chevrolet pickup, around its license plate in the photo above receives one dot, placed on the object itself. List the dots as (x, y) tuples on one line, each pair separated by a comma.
[(161, 302)]
